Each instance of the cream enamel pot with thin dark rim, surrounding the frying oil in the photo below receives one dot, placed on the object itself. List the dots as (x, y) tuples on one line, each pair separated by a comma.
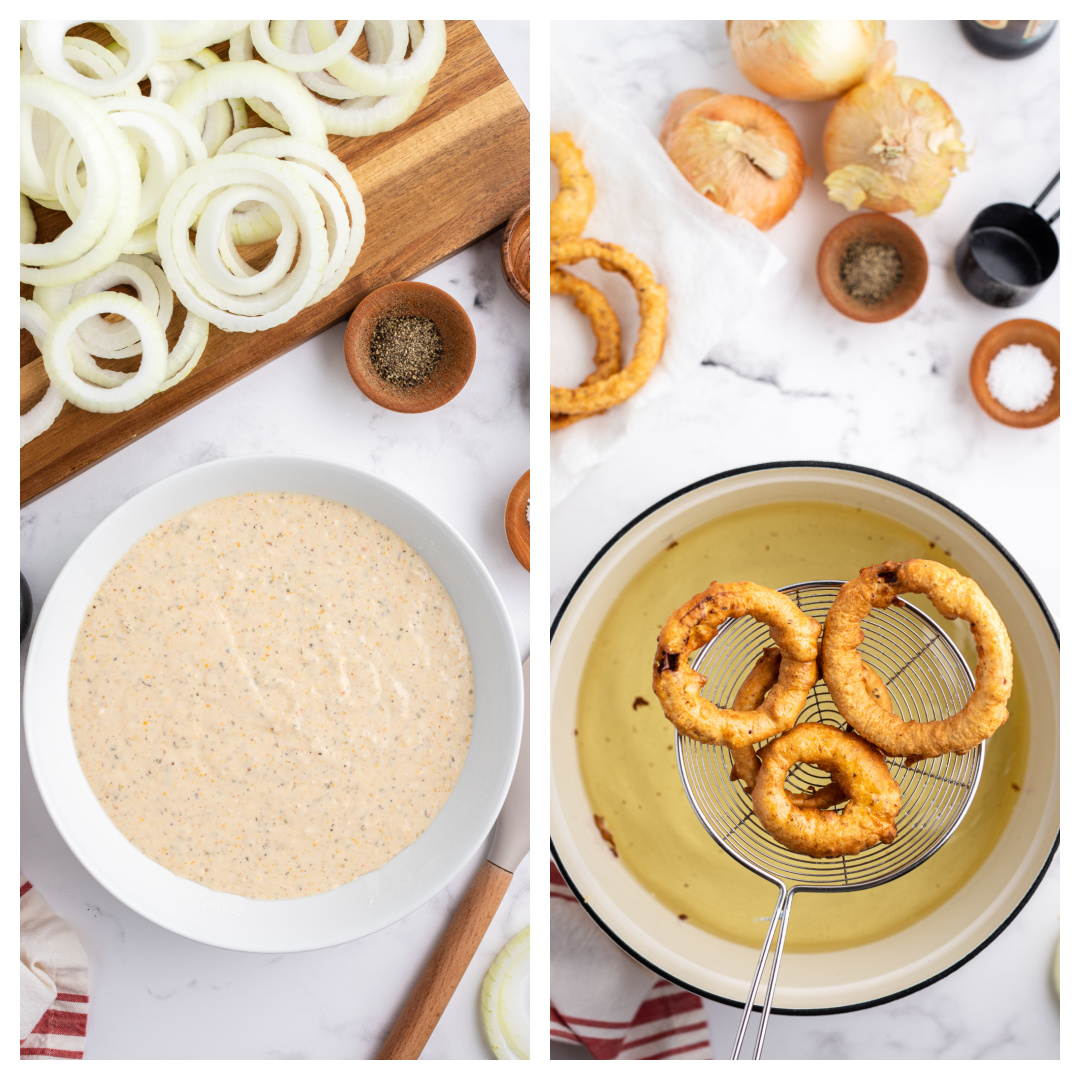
[(821, 982)]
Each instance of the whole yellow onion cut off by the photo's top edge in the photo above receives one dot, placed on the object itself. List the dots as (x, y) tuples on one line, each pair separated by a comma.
[(805, 60)]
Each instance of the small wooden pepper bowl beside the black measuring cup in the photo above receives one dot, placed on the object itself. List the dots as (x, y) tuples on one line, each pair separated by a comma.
[(875, 229)]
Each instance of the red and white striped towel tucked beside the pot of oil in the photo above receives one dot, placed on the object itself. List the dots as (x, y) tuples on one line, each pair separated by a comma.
[(610, 1003)]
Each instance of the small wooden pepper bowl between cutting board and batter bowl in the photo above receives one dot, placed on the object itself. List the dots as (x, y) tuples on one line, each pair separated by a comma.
[(412, 299)]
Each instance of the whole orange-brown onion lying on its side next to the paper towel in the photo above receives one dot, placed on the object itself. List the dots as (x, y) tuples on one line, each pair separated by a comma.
[(738, 153)]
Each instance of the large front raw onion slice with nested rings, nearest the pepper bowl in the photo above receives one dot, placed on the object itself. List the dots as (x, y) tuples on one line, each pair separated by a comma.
[(180, 210)]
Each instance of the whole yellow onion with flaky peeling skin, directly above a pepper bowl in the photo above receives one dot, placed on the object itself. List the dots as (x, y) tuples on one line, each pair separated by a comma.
[(892, 144)]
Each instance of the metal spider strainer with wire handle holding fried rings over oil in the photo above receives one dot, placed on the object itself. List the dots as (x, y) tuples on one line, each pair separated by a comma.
[(927, 679)]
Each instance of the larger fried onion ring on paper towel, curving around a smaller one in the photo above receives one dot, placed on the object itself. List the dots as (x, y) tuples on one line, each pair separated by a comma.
[(653, 305)]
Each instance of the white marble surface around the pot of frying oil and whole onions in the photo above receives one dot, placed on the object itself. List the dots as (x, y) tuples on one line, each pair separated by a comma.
[(794, 380)]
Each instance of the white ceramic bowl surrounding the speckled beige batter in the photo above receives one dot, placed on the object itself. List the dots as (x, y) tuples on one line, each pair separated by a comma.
[(371, 902)]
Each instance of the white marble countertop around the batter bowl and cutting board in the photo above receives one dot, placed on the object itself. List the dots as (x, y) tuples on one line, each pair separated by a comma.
[(155, 995)]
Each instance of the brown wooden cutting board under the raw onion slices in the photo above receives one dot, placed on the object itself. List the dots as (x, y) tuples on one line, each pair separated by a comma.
[(455, 171)]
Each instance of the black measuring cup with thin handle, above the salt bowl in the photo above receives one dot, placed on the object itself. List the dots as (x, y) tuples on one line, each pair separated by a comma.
[(1009, 252)]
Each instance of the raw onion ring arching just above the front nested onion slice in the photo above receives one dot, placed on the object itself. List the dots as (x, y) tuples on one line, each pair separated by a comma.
[(250, 79)]
